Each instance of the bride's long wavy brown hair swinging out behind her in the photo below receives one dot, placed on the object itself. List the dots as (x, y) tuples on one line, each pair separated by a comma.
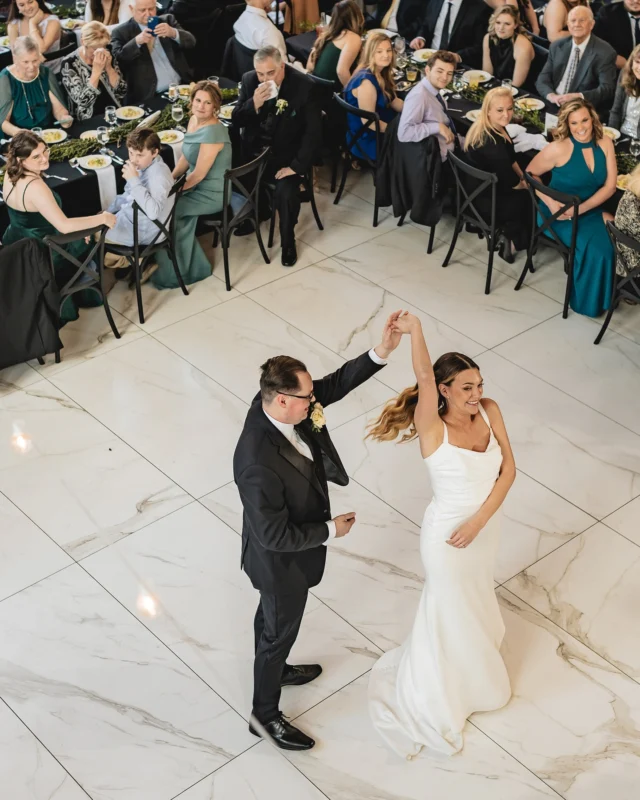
[(398, 415)]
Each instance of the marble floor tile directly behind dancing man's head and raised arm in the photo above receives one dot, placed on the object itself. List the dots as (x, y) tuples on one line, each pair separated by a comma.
[(231, 341)]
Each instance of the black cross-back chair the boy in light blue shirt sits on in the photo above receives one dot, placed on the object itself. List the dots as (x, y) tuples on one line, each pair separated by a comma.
[(140, 254)]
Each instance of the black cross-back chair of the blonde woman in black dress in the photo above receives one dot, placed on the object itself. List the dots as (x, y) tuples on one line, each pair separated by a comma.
[(466, 211)]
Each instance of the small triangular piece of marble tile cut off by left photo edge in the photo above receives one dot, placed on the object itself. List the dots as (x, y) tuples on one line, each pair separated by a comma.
[(26, 553)]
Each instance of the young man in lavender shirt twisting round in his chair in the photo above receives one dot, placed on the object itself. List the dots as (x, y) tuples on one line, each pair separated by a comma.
[(425, 111)]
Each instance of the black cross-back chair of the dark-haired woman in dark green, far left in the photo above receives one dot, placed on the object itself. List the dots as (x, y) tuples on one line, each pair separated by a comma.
[(89, 273)]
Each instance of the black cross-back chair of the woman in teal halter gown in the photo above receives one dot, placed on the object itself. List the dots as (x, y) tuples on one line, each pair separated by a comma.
[(545, 233)]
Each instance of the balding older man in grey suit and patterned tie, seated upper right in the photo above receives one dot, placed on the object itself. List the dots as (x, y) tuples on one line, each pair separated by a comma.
[(579, 65)]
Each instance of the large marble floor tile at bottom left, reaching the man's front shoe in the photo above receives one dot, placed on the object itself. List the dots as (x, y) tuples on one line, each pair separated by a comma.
[(119, 711)]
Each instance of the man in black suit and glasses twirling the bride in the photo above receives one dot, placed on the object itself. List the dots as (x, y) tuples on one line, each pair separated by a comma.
[(281, 466)]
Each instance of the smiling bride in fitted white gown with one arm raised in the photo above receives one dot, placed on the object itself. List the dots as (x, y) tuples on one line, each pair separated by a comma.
[(421, 693)]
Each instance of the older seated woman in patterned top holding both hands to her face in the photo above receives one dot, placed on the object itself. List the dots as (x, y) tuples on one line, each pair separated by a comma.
[(90, 76)]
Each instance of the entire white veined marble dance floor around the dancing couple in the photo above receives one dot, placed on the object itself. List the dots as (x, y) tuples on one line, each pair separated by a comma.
[(126, 624)]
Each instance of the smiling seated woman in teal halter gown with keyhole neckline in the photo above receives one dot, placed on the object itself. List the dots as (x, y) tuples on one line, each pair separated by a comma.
[(582, 163)]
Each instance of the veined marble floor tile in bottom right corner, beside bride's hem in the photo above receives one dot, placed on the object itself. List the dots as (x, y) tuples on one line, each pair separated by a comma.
[(573, 719)]
